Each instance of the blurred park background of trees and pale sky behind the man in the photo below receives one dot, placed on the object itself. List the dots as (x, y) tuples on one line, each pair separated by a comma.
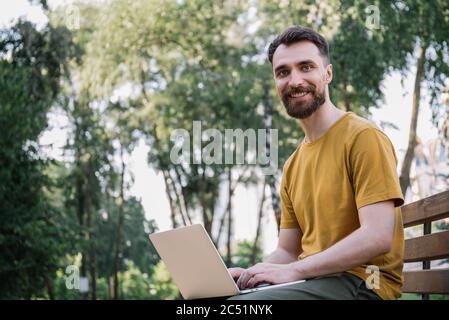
[(90, 92)]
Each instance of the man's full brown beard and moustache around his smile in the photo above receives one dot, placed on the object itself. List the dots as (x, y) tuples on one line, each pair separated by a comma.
[(303, 109)]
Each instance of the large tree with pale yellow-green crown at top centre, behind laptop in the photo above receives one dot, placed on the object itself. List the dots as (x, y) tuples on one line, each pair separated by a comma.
[(178, 70)]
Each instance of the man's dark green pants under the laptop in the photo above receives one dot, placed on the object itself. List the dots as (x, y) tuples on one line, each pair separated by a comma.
[(340, 286)]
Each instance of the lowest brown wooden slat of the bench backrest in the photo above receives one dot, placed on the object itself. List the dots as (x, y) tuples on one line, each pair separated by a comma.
[(426, 281)]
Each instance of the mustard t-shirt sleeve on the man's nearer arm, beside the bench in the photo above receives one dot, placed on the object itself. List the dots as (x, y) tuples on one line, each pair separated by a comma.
[(373, 169)]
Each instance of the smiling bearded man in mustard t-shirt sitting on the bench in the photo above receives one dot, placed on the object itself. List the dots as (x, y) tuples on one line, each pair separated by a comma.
[(341, 226)]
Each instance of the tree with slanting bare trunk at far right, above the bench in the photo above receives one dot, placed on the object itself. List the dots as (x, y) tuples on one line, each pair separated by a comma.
[(423, 37)]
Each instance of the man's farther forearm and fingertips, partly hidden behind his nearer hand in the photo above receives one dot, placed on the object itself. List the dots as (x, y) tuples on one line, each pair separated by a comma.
[(287, 251)]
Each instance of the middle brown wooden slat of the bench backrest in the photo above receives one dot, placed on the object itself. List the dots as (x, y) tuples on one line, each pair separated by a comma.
[(430, 247)]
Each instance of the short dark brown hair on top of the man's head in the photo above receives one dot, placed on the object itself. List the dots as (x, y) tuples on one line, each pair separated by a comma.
[(295, 34)]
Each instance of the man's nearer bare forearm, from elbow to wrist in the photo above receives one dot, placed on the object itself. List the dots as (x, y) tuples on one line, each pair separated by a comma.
[(356, 249)]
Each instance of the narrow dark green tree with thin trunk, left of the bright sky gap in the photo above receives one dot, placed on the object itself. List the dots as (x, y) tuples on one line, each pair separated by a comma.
[(90, 148)]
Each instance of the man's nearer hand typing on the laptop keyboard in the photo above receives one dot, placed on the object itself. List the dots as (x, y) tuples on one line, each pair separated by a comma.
[(267, 273)]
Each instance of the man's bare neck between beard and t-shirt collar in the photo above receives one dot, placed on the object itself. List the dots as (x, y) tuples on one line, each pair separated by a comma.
[(321, 120)]
